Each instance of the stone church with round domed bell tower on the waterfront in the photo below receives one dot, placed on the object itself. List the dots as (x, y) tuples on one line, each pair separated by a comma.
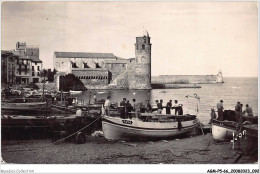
[(105, 70)]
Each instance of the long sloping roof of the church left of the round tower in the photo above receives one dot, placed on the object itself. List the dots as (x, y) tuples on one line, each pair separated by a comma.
[(83, 55)]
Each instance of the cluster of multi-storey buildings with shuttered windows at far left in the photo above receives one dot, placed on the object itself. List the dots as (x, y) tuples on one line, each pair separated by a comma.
[(21, 66)]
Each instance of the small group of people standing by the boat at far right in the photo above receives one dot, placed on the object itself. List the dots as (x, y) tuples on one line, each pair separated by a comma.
[(238, 108)]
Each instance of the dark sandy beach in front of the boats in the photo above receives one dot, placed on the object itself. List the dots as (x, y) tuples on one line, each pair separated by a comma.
[(200, 149)]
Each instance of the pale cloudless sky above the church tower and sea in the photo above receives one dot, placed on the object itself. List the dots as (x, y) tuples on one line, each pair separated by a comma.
[(188, 38)]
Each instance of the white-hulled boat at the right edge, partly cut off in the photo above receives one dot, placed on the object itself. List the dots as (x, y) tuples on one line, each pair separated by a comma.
[(223, 130)]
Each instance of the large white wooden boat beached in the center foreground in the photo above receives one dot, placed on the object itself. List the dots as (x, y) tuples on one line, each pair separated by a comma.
[(147, 126)]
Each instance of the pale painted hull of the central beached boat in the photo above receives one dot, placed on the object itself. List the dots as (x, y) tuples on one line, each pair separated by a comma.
[(117, 128)]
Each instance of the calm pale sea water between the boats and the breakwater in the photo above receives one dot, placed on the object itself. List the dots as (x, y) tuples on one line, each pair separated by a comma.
[(234, 89)]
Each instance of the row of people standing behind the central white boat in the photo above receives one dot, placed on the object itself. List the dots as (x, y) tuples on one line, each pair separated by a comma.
[(126, 108)]
